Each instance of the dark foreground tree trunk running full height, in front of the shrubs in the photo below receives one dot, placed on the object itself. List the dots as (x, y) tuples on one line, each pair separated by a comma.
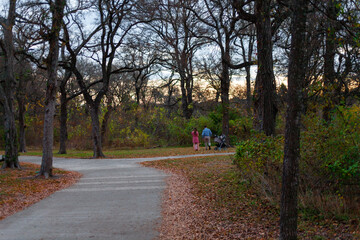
[(296, 77)]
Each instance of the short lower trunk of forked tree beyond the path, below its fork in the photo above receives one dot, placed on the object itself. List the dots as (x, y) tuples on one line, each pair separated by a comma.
[(96, 135)]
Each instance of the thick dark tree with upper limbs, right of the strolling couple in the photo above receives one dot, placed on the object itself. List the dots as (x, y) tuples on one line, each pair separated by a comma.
[(265, 98)]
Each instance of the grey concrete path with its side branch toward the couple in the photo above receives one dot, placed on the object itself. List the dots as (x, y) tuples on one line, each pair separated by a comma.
[(116, 199)]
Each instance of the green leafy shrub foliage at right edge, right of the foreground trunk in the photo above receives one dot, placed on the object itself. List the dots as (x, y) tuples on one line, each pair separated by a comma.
[(330, 151)]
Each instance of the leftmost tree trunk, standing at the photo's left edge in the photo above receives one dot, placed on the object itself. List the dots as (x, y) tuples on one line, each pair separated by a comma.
[(7, 91)]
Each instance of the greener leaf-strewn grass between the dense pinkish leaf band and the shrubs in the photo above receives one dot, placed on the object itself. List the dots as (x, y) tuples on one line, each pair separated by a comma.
[(217, 181)]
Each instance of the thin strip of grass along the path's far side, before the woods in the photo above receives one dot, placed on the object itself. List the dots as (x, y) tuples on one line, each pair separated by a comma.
[(128, 153)]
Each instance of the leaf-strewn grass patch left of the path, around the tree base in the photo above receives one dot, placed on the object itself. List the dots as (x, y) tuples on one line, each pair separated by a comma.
[(19, 188)]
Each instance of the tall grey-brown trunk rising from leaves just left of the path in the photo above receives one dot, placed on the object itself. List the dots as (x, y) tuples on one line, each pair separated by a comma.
[(57, 10)]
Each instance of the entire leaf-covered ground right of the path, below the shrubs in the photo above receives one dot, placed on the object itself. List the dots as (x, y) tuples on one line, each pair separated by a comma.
[(206, 198)]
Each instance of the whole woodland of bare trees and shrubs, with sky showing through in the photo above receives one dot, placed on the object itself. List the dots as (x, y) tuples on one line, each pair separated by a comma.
[(114, 74)]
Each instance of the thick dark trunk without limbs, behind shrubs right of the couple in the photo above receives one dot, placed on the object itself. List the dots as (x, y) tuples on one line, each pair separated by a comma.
[(265, 106)]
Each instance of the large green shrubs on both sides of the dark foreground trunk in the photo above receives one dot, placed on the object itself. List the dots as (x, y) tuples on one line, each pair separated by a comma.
[(329, 168)]
